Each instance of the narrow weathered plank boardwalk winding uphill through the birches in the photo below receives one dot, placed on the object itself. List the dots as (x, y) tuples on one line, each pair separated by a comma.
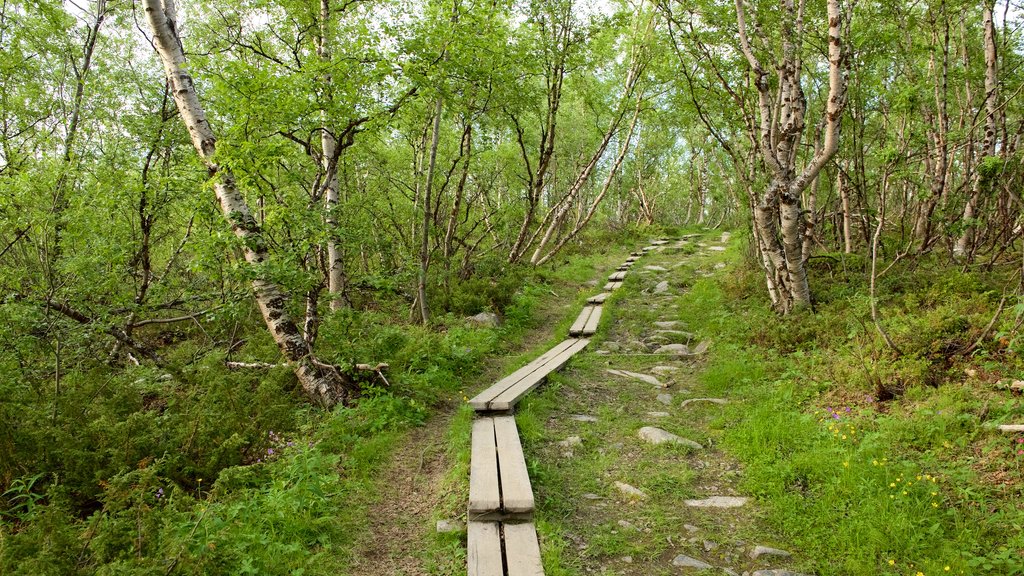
[(501, 534)]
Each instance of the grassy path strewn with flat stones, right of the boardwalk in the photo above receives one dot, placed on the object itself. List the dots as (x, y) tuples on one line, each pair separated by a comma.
[(631, 478)]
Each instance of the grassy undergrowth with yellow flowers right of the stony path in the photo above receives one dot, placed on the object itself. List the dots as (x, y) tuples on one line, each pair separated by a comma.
[(872, 460)]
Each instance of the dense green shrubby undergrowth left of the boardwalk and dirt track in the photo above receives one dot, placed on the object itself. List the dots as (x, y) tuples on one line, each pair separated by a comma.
[(135, 471)]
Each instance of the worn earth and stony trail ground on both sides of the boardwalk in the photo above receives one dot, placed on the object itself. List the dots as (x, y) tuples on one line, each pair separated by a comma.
[(587, 524)]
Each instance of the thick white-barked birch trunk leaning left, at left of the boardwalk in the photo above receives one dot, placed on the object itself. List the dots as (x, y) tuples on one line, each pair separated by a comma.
[(322, 383)]
